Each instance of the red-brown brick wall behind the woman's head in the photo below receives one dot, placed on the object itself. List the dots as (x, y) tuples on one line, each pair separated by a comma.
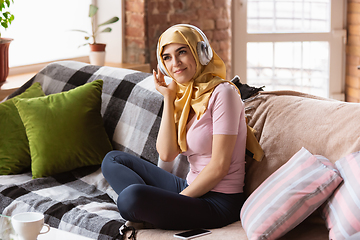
[(145, 20)]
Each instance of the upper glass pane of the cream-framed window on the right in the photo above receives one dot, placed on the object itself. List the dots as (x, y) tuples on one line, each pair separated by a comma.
[(277, 16)]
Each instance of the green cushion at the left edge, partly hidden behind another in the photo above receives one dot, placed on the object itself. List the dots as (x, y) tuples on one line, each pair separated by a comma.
[(14, 146)]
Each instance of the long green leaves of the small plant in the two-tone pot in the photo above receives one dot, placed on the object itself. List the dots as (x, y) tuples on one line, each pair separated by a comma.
[(95, 29)]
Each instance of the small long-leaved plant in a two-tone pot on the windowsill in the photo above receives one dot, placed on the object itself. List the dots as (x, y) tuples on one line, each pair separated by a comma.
[(97, 53)]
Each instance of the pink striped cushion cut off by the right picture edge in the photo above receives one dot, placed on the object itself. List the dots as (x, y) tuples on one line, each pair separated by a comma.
[(342, 210)]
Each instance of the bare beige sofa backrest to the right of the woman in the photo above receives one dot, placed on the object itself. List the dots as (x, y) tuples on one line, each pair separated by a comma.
[(286, 121)]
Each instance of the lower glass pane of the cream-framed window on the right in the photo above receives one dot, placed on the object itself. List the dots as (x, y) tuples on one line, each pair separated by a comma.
[(298, 66)]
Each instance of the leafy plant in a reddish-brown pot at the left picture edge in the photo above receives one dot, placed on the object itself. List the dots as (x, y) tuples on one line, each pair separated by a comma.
[(6, 19)]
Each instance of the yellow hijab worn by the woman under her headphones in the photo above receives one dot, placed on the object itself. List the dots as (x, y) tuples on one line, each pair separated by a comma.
[(196, 93)]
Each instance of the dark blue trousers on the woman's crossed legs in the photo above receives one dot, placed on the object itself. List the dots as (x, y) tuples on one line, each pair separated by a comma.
[(150, 194)]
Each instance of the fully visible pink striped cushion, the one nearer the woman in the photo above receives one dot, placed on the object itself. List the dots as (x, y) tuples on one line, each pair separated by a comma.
[(288, 196)]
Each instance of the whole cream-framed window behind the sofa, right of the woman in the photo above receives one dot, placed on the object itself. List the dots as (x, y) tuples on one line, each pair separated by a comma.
[(291, 45)]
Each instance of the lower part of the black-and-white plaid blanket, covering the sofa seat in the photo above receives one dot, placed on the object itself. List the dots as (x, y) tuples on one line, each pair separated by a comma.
[(77, 201)]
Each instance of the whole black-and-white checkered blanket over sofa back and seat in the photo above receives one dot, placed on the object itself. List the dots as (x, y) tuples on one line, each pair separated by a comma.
[(81, 201)]
